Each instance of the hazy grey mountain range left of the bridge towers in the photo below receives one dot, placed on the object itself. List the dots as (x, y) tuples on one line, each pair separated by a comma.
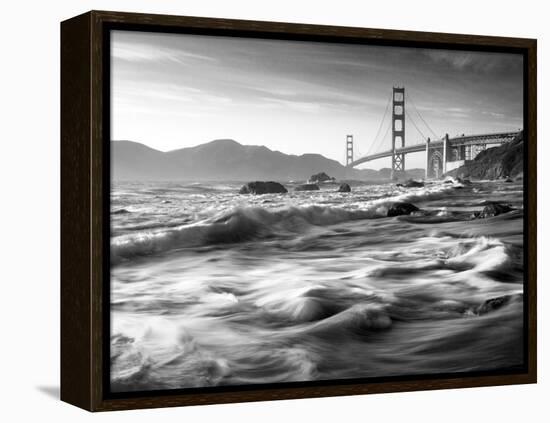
[(224, 160)]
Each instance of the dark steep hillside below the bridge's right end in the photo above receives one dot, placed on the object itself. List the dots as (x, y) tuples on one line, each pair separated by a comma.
[(498, 162)]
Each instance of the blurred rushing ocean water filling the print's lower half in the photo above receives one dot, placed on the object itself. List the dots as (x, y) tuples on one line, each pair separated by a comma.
[(212, 288)]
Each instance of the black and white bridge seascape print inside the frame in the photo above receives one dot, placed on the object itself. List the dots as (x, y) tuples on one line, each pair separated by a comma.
[(291, 211)]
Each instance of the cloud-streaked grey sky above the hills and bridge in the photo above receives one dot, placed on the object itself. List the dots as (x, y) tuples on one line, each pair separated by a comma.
[(170, 91)]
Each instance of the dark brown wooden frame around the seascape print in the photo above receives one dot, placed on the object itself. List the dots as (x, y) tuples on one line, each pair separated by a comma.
[(85, 167)]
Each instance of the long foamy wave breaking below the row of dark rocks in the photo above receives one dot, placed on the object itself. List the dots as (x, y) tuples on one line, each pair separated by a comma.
[(249, 223)]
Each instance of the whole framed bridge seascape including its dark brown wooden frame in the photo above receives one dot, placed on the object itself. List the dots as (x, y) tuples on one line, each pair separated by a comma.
[(258, 210)]
